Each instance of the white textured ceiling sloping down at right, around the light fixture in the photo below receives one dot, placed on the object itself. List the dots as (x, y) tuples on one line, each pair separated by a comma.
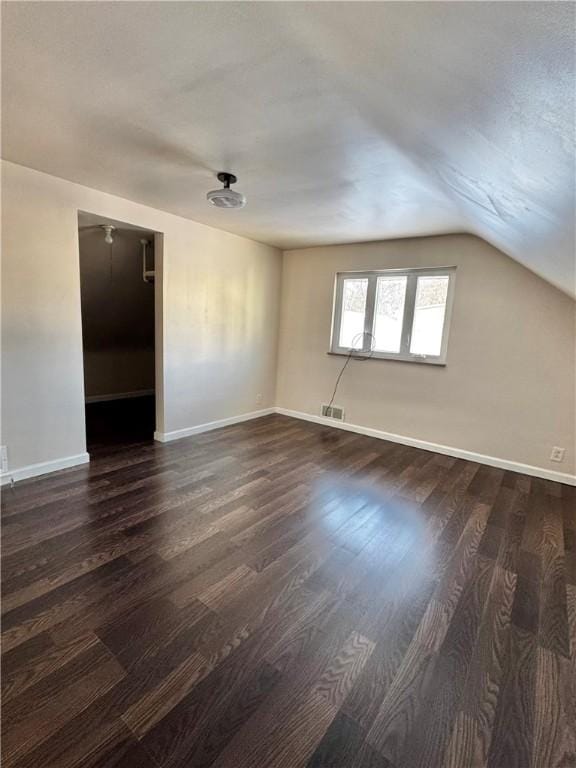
[(344, 121)]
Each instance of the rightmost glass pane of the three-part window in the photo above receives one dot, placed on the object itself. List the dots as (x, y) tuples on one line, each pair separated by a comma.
[(429, 311)]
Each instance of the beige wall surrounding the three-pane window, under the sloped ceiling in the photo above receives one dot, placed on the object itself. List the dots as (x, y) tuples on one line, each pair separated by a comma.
[(508, 388)]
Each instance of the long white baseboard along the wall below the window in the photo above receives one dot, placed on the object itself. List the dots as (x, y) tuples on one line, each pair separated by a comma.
[(447, 450)]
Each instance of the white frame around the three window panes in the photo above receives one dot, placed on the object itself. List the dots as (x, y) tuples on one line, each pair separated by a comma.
[(412, 276)]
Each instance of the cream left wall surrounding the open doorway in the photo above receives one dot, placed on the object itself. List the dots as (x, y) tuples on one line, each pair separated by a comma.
[(220, 298)]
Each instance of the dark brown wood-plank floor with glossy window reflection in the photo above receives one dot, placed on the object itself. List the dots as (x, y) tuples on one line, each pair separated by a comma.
[(281, 595)]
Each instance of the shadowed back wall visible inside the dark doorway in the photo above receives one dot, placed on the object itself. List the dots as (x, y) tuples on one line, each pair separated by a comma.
[(117, 312)]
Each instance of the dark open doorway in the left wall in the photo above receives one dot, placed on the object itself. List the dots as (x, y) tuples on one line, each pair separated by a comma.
[(119, 274)]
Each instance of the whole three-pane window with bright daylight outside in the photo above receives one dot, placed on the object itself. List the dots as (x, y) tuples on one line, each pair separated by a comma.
[(402, 314)]
